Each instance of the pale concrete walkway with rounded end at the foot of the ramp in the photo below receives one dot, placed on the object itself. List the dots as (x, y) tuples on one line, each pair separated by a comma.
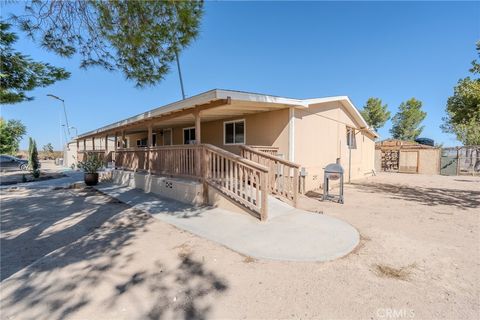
[(290, 234)]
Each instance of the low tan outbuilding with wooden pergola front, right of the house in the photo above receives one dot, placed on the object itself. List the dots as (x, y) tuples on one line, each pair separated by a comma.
[(406, 157)]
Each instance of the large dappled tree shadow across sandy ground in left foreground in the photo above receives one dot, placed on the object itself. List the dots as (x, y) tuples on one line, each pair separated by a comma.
[(86, 237)]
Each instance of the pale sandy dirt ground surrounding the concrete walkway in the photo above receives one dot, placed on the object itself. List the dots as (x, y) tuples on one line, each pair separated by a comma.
[(95, 258)]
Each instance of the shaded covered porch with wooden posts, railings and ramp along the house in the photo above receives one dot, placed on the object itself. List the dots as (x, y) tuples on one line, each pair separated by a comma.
[(237, 146)]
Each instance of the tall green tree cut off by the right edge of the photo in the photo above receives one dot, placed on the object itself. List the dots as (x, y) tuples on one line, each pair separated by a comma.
[(463, 108)]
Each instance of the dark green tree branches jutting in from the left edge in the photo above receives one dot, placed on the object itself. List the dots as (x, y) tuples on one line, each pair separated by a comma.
[(20, 74)]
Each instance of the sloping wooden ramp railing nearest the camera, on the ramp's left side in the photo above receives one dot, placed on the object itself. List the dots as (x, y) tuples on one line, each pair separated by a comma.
[(243, 180)]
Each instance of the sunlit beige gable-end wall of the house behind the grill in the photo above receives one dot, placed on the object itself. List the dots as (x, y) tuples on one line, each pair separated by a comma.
[(320, 138)]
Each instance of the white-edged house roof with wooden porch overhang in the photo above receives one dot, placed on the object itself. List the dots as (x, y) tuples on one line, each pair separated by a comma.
[(221, 103)]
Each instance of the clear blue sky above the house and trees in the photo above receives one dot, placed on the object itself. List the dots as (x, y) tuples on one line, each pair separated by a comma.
[(393, 51)]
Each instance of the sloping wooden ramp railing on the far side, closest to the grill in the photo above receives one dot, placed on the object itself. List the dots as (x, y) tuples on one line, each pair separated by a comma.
[(283, 175)]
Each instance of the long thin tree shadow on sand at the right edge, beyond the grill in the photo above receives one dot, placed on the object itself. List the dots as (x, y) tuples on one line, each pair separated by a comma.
[(460, 199)]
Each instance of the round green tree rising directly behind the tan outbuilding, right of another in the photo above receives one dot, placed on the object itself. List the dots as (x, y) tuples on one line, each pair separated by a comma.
[(406, 123)]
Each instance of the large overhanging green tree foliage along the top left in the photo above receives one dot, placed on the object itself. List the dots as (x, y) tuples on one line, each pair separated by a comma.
[(139, 38)]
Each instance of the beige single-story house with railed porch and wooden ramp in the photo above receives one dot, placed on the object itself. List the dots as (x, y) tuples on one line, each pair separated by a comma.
[(237, 141)]
